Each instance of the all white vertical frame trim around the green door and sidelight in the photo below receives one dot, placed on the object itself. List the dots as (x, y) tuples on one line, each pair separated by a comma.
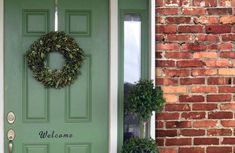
[(113, 79)]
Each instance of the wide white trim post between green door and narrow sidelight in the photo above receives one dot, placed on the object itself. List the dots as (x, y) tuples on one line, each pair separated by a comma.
[(113, 75)]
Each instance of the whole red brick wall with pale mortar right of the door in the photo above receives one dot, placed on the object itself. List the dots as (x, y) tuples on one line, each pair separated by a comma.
[(195, 66)]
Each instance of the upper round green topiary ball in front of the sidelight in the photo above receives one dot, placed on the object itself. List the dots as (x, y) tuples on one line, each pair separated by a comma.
[(144, 98)]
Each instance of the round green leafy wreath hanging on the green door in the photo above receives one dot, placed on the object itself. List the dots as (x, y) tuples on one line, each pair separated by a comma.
[(55, 42)]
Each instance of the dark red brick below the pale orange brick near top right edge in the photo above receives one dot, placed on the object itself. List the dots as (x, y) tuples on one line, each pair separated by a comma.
[(218, 29)]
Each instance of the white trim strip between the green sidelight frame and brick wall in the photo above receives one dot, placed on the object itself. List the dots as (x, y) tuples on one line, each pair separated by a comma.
[(152, 44)]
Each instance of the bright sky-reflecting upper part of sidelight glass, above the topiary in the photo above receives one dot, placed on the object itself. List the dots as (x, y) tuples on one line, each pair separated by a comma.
[(132, 48)]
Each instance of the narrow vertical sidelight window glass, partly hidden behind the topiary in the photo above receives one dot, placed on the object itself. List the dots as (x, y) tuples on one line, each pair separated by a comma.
[(132, 68)]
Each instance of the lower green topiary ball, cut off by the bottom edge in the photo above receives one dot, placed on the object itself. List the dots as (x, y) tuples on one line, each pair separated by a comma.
[(139, 145)]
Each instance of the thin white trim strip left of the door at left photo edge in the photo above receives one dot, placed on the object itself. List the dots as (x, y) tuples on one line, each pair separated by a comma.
[(1, 76)]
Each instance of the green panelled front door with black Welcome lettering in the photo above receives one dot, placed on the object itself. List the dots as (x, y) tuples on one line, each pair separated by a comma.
[(72, 119)]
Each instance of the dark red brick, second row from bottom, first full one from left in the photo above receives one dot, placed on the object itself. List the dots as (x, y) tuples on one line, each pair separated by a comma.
[(178, 141)]
